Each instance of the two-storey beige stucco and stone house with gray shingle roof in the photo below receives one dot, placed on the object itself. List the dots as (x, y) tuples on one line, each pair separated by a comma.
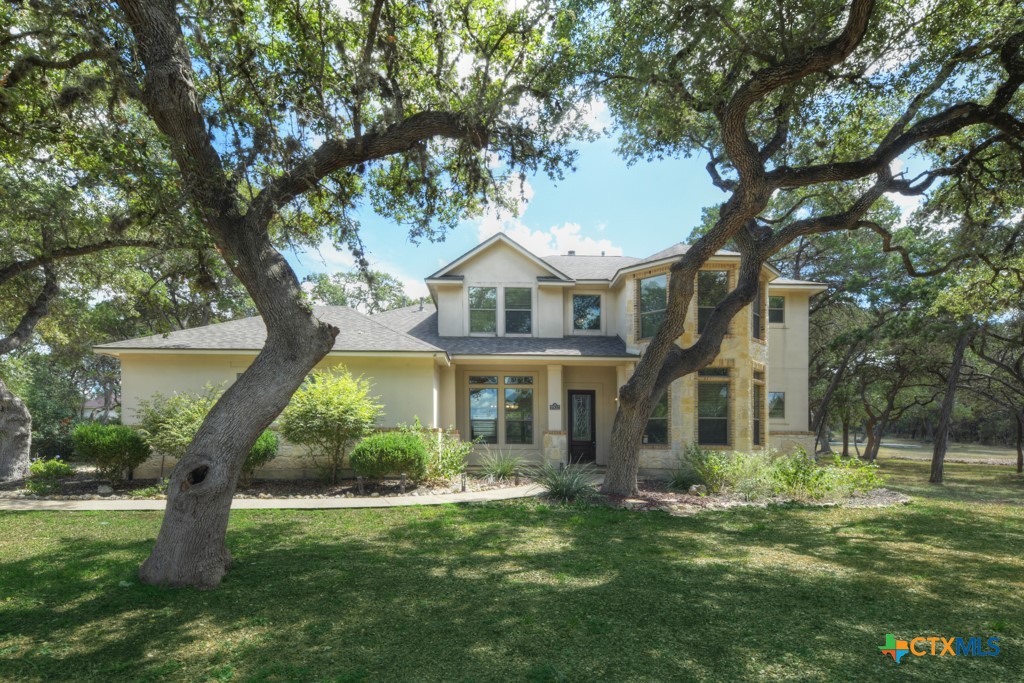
[(528, 354)]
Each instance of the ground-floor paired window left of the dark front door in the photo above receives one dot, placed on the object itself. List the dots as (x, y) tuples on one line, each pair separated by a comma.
[(515, 414)]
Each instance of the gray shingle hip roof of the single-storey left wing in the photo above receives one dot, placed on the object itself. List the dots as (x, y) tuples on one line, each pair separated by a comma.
[(358, 333)]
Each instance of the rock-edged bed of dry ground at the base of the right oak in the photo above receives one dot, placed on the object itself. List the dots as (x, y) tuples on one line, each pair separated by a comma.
[(657, 496)]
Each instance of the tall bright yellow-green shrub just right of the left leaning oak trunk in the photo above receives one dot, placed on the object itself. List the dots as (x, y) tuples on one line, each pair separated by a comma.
[(328, 413)]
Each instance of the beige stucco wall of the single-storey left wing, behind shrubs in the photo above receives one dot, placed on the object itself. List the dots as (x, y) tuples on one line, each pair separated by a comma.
[(408, 388)]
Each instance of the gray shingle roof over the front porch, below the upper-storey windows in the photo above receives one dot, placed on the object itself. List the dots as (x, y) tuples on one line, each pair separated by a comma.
[(423, 326)]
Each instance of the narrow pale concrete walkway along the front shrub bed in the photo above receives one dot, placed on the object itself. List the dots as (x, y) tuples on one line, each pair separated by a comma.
[(284, 503)]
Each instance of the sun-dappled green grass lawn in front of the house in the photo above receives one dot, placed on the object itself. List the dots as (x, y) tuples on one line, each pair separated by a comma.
[(530, 592)]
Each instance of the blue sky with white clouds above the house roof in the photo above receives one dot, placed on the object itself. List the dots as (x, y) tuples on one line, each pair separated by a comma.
[(604, 206)]
